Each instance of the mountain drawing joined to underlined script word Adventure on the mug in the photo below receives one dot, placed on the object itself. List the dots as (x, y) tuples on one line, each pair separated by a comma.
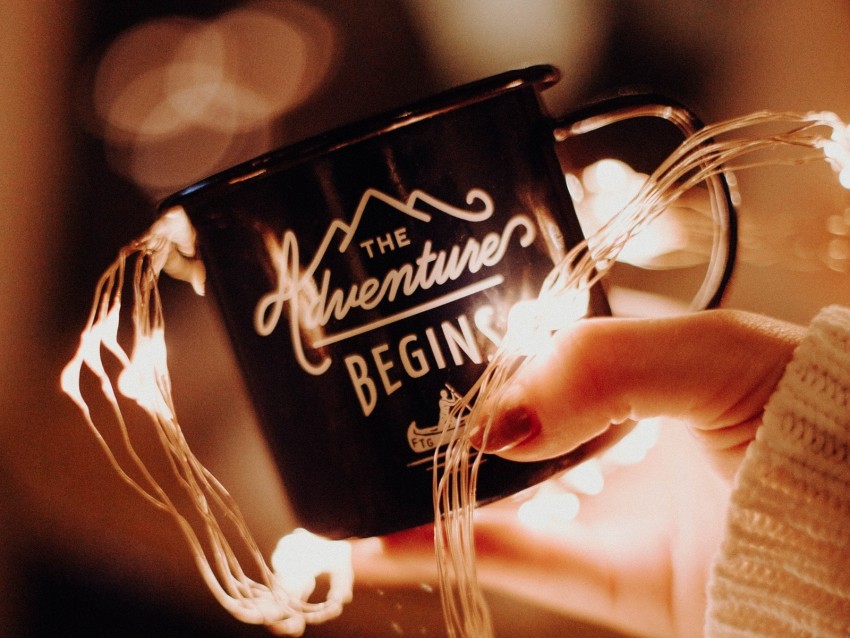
[(315, 302)]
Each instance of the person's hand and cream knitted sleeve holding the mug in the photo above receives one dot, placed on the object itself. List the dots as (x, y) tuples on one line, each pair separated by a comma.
[(768, 402)]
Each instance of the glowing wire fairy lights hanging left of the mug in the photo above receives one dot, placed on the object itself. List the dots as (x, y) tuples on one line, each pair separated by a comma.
[(279, 598)]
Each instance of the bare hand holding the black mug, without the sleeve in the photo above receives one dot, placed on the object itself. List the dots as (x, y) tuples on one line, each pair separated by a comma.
[(637, 557)]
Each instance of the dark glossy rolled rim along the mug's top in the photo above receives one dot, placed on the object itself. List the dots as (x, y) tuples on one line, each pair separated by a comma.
[(339, 137)]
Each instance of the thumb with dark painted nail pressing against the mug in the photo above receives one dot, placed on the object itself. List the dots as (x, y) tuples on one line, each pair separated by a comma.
[(715, 368)]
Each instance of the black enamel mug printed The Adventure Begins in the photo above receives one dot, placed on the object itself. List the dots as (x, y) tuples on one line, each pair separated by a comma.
[(365, 276)]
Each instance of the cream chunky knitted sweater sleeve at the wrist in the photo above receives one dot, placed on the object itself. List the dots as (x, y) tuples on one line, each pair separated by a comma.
[(784, 565)]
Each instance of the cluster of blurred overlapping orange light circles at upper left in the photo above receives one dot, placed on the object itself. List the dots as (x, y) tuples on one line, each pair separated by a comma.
[(178, 98)]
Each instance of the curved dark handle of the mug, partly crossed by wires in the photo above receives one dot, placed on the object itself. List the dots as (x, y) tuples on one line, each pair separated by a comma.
[(725, 241)]
